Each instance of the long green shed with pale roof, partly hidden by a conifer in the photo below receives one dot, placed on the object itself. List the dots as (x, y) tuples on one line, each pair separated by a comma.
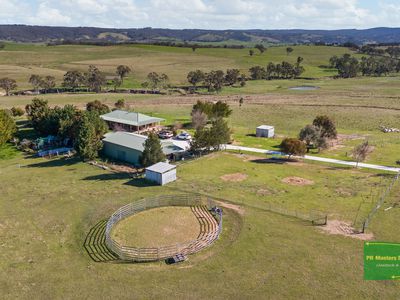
[(128, 147)]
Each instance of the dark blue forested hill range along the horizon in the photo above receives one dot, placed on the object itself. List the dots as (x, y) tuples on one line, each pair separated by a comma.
[(24, 33)]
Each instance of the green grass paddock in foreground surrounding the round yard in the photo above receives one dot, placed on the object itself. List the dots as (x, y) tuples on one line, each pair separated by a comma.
[(48, 206)]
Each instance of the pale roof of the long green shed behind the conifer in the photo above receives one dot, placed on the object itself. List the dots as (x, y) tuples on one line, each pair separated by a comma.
[(136, 142)]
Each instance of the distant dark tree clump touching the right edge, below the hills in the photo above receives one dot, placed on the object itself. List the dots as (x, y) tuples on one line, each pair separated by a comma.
[(349, 66)]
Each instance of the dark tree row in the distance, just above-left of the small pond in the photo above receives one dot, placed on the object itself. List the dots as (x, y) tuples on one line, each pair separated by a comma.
[(284, 70)]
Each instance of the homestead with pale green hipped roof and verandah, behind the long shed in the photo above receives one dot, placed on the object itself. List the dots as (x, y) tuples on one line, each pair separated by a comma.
[(130, 121)]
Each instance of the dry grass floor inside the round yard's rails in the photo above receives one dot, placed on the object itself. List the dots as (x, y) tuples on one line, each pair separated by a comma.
[(157, 227)]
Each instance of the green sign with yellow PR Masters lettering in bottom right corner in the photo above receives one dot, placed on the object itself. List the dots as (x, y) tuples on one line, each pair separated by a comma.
[(381, 261)]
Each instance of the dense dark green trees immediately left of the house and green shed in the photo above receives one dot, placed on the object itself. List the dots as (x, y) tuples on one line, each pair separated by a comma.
[(84, 129)]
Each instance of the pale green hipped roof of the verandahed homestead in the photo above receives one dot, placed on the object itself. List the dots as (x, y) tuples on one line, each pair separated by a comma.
[(130, 118)]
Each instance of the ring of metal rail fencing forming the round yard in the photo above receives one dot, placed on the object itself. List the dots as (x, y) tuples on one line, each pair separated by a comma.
[(210, 227)]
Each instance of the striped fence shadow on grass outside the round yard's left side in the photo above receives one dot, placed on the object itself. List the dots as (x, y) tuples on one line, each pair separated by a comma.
[(95, 244)]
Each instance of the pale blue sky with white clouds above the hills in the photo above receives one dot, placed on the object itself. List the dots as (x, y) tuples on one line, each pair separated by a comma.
[(208, 14)]
